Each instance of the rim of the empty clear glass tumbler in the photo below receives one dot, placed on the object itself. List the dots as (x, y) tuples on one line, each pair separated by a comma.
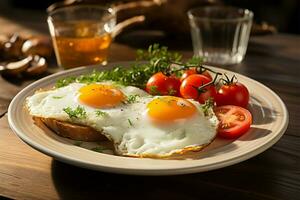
[(248, 14)]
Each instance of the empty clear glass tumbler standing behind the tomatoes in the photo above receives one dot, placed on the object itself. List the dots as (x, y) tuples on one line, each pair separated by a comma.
[(220, 34)]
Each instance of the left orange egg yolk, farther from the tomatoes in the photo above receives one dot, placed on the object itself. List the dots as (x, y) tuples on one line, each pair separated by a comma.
[(100, 96)]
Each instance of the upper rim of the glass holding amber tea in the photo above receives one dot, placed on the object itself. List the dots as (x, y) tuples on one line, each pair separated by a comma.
[(65, 8)]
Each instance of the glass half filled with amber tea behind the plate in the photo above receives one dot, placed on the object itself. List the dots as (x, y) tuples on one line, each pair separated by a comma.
[(81, 34)]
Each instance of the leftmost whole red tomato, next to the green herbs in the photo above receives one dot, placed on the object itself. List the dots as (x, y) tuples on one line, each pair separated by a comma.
[(161, 84)]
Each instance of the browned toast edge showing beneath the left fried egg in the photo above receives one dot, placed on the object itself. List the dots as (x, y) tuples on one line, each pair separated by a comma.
[(72, 131)]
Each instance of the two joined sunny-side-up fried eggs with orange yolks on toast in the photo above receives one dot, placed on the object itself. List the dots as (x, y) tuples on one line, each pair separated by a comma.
[(138, 124)]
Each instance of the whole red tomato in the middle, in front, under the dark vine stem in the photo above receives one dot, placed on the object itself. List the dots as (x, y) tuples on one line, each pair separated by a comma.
[(189, 88)]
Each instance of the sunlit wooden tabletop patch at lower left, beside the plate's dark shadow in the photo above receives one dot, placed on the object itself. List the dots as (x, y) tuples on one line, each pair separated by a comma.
[(24, 172)]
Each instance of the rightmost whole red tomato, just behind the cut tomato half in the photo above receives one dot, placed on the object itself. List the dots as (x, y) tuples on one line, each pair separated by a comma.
[(233, 94)]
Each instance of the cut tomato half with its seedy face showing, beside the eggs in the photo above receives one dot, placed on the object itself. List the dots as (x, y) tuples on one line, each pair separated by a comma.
[(234, 121)]
